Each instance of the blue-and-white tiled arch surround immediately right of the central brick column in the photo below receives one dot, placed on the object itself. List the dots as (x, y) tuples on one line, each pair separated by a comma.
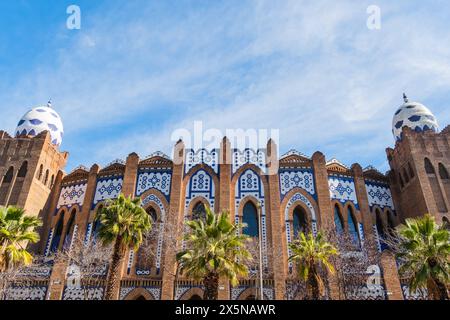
[(250, 184)]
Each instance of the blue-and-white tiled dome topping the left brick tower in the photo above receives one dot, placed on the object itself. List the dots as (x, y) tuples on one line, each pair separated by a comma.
[(41, 119)]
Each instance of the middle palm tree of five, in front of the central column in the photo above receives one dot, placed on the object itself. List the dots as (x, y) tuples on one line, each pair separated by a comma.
[(215, 249)]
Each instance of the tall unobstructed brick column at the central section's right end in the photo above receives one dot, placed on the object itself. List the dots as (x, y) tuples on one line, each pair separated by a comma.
[(276, 222)]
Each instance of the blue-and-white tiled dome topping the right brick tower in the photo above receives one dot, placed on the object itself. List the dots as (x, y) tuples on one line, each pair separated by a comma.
[(415, 116)]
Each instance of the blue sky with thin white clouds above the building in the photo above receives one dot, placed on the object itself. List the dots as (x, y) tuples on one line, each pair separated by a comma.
[(138, 70)]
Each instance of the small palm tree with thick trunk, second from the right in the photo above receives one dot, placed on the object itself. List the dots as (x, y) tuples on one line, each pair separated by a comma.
[(310, 253)]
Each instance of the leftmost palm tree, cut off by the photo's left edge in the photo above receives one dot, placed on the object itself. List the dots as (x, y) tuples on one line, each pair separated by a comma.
[(16, 230)]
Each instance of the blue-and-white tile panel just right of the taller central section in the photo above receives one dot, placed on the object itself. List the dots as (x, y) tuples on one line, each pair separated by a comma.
[(290, 179)]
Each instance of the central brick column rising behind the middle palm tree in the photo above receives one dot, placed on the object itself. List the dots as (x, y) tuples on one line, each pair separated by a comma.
[(224, 200)]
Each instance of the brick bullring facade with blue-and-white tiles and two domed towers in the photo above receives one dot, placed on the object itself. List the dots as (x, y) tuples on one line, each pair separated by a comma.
[(305, 192)]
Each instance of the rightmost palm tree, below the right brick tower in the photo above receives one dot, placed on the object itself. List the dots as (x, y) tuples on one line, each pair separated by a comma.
[(423, 249)]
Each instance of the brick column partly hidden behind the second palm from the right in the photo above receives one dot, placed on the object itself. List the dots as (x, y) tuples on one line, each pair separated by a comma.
[(326, 216)]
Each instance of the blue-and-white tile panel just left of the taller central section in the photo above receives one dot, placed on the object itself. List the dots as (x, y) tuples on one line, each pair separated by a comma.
[(159, 180)]
